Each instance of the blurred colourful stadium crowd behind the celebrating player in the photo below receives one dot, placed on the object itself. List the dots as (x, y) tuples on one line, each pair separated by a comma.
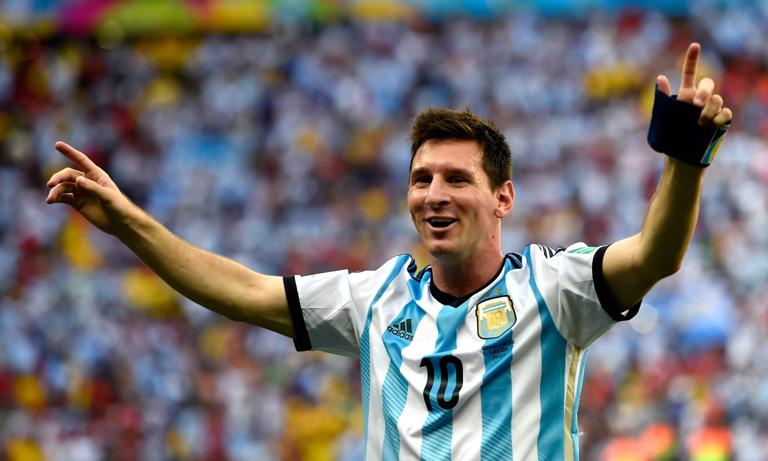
[(275, 133)]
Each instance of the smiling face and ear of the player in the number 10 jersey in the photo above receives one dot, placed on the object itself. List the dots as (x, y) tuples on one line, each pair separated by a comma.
[(456, 211)]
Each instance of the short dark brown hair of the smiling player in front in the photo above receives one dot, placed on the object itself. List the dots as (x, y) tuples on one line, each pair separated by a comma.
[(450, 124)]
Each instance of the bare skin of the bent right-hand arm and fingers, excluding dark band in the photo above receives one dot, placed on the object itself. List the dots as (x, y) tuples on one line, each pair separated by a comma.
[(632, 266)]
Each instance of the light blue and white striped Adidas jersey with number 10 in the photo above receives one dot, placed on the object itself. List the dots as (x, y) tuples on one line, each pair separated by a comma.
[(492, 376)]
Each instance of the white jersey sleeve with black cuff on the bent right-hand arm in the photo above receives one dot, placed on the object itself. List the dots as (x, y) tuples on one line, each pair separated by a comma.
[(572, 285)]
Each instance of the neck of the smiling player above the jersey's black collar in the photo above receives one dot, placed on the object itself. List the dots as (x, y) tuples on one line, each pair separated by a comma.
[(460, 278)]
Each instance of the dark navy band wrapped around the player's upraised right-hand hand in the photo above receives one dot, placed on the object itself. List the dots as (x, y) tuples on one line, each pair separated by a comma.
[(675, 131)]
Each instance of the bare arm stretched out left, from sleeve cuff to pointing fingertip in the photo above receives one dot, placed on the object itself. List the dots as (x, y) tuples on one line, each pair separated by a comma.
[(213, 281)]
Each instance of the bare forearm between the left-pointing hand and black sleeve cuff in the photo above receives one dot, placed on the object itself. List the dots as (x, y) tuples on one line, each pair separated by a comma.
[(215, 282)]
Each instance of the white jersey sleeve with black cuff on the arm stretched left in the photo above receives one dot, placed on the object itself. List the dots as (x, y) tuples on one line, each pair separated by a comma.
[(329, 310)]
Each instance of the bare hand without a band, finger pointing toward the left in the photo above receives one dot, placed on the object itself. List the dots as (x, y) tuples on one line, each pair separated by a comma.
[(89, 190)]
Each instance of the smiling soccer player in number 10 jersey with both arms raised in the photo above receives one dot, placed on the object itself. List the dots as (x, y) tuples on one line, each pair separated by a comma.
[(481, 354)]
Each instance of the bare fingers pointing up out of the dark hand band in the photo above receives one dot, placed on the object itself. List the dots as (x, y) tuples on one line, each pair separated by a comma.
[(702, 96)]
